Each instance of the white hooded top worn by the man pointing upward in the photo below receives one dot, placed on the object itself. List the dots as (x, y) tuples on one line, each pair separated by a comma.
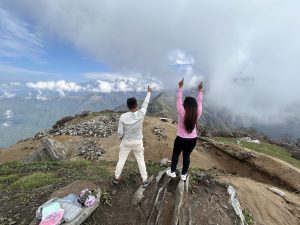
[(131, 123)]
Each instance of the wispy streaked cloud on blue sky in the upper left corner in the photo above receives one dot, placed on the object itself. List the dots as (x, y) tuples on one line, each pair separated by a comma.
[(16, 38)]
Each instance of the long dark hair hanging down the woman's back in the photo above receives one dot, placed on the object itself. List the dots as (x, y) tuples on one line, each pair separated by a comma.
[(191, 113)]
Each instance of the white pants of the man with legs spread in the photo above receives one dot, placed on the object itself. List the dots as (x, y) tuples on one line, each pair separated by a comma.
[(138, 149)]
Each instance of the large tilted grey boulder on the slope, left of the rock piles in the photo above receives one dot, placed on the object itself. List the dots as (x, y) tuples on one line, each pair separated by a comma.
[(56, 149)]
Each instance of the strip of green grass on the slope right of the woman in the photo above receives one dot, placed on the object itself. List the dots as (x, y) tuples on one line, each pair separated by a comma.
[(269, 149)]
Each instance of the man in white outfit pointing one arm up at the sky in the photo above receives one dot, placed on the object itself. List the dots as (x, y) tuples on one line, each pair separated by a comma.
[(130, 131)]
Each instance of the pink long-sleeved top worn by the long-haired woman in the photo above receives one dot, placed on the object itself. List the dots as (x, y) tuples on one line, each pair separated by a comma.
[(181, 132)]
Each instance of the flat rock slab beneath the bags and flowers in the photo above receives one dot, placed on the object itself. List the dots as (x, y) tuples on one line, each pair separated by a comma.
[(75, 188)]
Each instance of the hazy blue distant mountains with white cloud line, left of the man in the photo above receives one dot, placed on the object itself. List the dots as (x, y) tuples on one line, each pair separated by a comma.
[(26, 108)]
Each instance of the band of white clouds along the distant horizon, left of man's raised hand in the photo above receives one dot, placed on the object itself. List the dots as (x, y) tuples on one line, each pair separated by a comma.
[(44, 90)]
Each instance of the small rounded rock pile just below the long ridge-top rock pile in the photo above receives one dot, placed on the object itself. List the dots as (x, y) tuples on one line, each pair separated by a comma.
[(91, 150)]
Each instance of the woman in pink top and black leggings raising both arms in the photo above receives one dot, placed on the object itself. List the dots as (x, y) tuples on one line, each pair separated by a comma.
[(189, 112)]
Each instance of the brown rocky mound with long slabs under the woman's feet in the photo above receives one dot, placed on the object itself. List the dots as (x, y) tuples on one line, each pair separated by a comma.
[(173, 201)]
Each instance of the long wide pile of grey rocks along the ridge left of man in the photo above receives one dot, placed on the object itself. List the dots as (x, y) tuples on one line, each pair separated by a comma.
[(102, 127)]
